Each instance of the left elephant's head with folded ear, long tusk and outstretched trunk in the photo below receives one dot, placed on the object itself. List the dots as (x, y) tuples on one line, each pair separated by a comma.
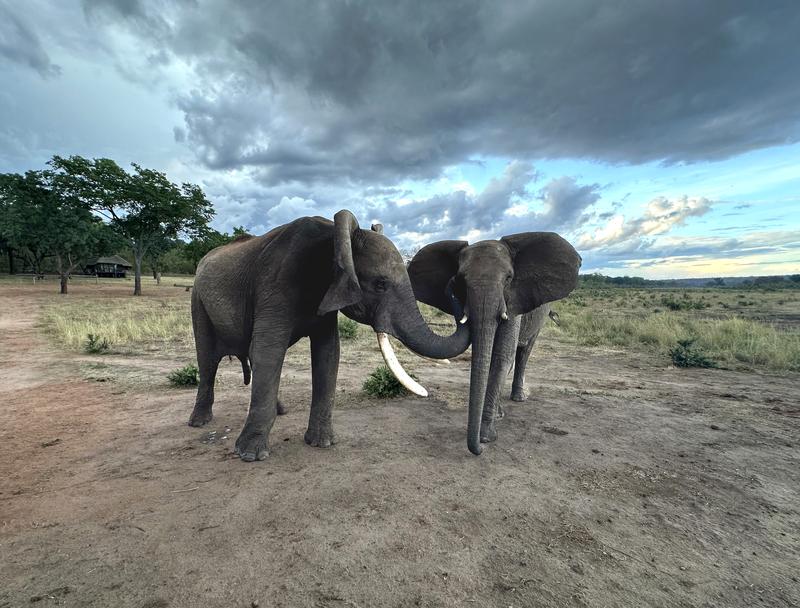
[(370, 285)]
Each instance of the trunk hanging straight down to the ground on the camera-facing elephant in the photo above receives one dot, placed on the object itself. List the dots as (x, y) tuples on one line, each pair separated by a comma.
[(484, 327)]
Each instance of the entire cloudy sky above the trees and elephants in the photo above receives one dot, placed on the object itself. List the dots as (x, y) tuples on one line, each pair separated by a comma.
[(662, 139)]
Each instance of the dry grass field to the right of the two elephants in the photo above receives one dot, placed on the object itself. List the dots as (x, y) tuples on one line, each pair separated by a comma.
[(637, 319)]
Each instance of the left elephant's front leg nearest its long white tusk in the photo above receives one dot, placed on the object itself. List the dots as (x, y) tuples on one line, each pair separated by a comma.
[(324, 371)]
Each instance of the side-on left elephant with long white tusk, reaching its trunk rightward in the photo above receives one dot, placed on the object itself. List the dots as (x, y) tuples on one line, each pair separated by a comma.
[(255, 297)]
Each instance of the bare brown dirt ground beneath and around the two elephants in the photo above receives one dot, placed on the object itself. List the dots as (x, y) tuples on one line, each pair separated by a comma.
[(621, 482)]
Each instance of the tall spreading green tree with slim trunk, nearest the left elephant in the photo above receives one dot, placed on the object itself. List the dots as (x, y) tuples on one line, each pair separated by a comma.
[(143, 207)]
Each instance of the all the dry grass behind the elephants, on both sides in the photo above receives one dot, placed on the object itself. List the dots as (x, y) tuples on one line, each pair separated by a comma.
[(738, 328)]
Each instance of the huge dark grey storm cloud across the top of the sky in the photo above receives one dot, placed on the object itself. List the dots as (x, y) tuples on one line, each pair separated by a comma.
[(379, 91)]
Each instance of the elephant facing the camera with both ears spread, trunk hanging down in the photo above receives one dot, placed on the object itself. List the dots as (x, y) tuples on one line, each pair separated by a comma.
[(501, 286)]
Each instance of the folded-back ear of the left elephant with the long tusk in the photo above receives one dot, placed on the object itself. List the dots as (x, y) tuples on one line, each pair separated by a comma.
[(344, 289)]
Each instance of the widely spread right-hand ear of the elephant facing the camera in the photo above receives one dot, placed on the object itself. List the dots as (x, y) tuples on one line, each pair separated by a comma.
[(545, 269)]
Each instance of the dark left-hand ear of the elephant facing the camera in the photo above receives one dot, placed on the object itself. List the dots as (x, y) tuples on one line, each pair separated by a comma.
[(431, 269)]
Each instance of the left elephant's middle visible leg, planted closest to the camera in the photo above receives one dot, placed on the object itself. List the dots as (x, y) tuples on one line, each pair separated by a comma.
[(267, 352)]
